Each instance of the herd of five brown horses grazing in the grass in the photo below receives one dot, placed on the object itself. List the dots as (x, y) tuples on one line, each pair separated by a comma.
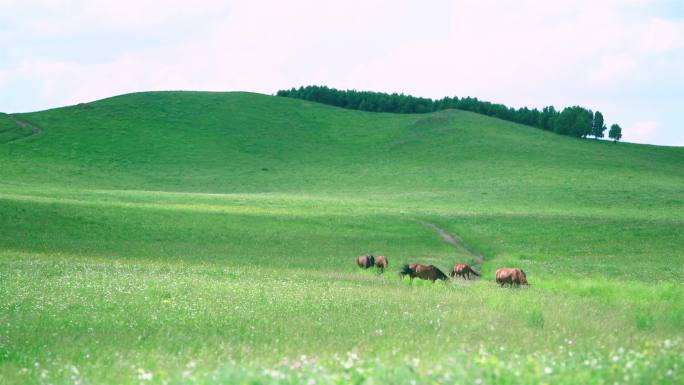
[(504, 276)]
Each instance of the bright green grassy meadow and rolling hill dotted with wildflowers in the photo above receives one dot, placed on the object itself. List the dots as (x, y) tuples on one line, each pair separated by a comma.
[(211, 238)]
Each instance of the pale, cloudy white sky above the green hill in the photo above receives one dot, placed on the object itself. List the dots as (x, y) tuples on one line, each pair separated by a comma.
[(624, 58)]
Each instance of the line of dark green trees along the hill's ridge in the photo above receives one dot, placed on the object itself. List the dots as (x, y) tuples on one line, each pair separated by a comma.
[(573, 121)]
